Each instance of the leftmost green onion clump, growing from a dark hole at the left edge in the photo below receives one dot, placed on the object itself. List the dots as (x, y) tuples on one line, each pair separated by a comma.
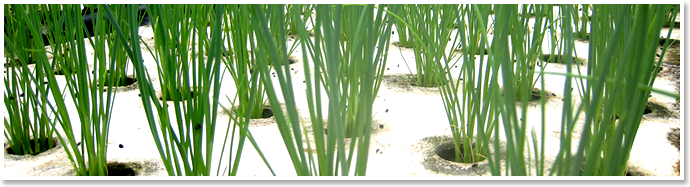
[(26, 125)]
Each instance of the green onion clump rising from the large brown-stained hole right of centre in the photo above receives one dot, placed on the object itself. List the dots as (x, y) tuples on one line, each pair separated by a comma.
[(466, 95)]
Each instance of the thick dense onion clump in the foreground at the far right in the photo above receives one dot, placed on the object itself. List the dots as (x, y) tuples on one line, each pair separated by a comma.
[(621, 79)]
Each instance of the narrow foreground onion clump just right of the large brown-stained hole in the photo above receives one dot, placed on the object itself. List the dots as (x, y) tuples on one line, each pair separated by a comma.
[(509, 52)]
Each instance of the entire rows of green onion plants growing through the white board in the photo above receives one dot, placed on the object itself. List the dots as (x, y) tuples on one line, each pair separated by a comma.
[(499, 49)]
